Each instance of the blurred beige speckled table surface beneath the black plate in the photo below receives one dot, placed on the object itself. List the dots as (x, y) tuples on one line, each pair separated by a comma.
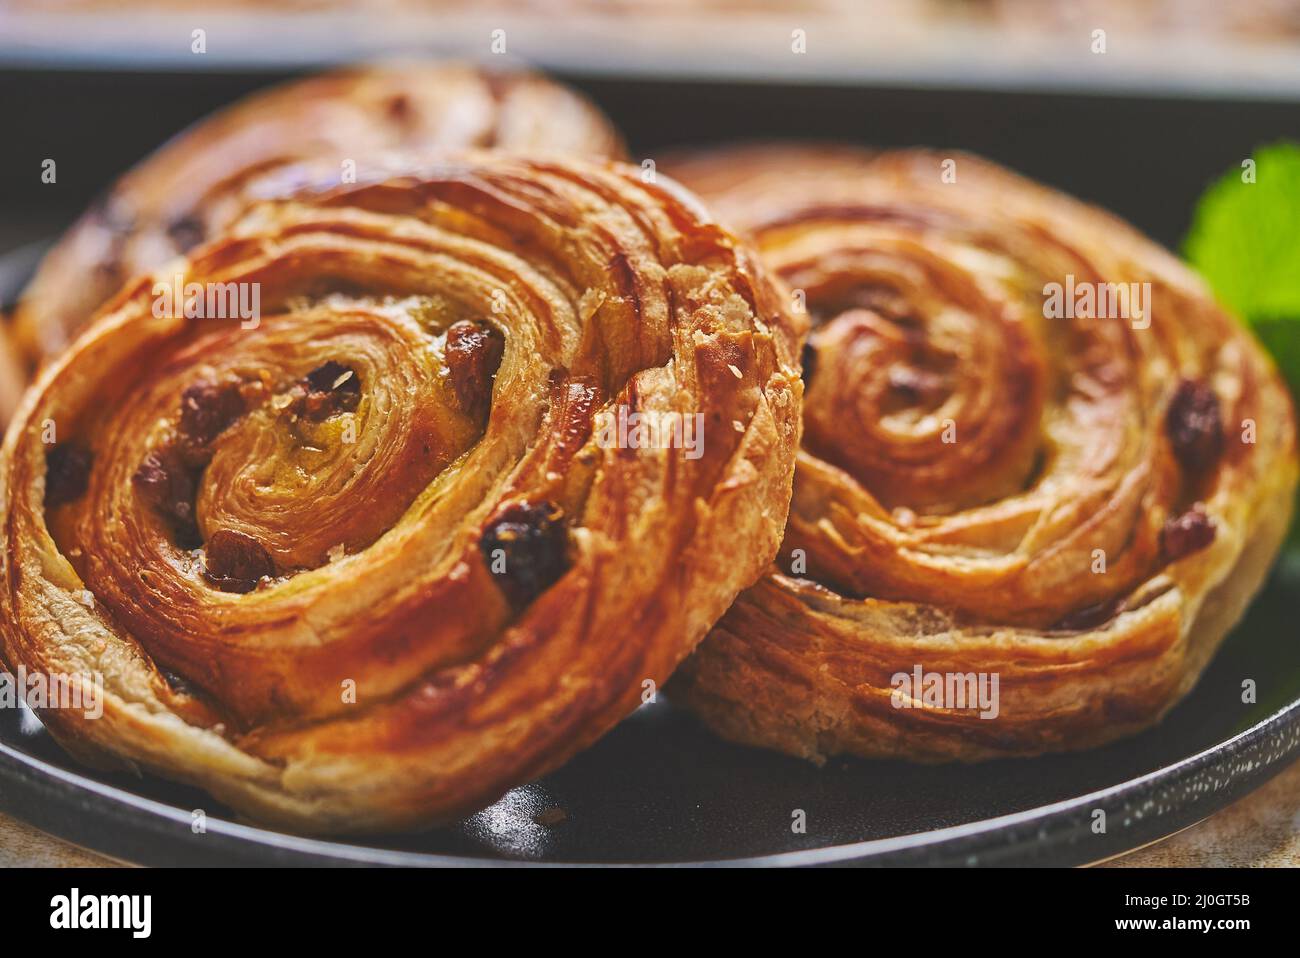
[(1263, 830)]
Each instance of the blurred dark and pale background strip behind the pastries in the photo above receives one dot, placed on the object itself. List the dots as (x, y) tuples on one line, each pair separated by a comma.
[(1136, 105)]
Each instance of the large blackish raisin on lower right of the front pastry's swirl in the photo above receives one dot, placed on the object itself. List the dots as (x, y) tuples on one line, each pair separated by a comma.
[(526, 548)]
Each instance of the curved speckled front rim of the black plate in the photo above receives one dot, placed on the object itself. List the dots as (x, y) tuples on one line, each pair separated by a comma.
[(976, 843)]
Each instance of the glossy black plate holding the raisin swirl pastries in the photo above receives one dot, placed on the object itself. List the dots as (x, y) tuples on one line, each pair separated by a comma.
[(662, 790)]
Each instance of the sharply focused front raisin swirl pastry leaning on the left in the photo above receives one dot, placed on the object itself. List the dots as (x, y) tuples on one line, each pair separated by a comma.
[(371, 563)]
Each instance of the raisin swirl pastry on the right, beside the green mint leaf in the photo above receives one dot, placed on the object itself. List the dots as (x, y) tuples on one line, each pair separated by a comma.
[(1078, 506)]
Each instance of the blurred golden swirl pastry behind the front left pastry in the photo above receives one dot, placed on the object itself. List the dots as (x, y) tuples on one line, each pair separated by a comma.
[(198, 183)]
